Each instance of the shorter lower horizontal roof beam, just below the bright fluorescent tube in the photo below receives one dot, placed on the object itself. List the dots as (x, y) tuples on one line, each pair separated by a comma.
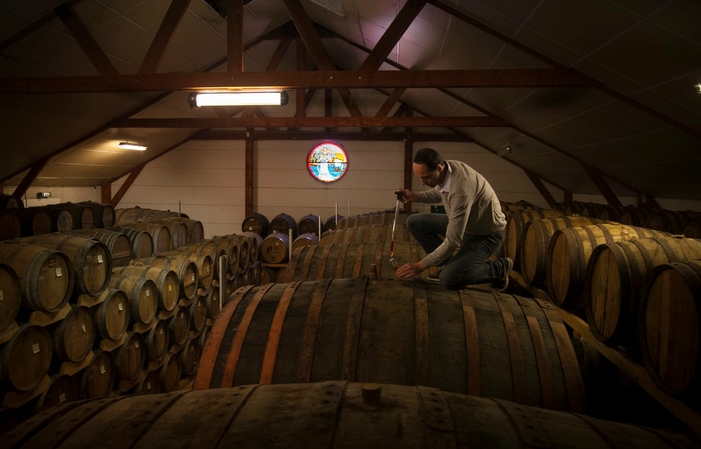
[(314, 122)]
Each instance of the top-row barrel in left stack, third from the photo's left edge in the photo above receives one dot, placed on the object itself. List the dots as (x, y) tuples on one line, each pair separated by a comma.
[(91, 259)]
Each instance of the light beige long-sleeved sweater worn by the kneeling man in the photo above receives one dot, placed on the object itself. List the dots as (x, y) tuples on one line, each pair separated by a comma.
[(471, 205)]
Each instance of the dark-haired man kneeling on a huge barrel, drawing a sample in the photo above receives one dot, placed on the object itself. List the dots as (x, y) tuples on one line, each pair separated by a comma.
[(473, 225)]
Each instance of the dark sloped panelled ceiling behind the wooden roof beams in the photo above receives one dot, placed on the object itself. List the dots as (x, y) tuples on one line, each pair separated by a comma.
[(648, 51)]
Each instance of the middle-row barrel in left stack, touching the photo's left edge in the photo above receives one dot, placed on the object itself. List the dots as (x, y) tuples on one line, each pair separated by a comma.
[(26, 358)]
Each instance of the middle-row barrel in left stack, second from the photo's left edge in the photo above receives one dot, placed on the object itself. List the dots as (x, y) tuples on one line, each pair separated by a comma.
[(73, 337)]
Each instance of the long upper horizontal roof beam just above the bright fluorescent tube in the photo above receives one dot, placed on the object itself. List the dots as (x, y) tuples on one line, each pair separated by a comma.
[(338, 79)]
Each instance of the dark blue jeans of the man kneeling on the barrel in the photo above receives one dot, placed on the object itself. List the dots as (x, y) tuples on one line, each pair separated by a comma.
[(469, 265)]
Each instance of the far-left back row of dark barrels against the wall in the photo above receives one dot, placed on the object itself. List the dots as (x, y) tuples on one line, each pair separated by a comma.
[(63, 217)]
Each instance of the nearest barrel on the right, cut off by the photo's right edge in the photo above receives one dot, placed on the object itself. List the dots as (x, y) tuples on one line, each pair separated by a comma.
[(669, 330)]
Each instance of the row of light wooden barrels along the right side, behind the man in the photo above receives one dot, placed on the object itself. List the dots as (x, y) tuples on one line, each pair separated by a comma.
[(637, 287)]
